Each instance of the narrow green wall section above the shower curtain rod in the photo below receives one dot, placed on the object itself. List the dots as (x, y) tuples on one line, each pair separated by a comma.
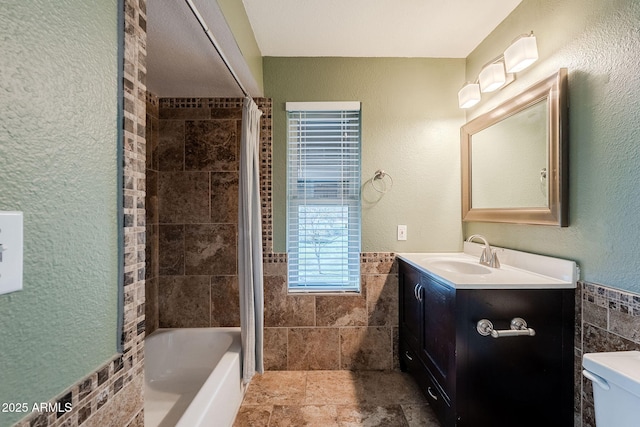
[(238, 21)]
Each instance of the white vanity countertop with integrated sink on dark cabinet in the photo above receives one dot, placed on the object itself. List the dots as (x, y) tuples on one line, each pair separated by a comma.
[(518, 270)]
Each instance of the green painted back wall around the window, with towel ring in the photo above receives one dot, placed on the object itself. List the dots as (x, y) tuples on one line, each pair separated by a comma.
[(410, 129)]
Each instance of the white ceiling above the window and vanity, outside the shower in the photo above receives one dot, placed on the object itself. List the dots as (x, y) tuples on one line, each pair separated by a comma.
[(374, 28)]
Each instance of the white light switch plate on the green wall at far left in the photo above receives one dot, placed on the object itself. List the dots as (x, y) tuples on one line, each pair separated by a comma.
[(10, 251)]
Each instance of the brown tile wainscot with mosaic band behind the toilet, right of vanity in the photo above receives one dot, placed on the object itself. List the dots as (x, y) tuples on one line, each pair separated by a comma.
[(607, 319)]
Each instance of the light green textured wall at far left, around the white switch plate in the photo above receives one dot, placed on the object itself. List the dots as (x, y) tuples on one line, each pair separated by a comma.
[(58, 136)]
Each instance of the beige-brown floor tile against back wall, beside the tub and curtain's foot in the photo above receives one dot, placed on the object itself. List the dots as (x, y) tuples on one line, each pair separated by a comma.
[(277, 388)]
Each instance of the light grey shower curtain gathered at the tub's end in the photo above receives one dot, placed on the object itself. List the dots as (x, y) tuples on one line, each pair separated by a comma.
[(250, 243)]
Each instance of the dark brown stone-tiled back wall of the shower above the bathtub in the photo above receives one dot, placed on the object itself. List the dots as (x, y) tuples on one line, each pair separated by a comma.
[(197, 161)]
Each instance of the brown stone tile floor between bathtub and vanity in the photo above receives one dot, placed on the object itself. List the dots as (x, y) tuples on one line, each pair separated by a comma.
[(334, 398)]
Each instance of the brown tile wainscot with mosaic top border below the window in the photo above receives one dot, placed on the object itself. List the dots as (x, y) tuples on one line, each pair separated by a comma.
[(330, 332)]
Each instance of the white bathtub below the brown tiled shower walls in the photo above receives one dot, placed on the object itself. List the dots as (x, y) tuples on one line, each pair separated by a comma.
[(192, 377)]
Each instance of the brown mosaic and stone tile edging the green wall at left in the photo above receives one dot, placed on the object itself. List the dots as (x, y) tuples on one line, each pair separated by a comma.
[(113, 394)]
